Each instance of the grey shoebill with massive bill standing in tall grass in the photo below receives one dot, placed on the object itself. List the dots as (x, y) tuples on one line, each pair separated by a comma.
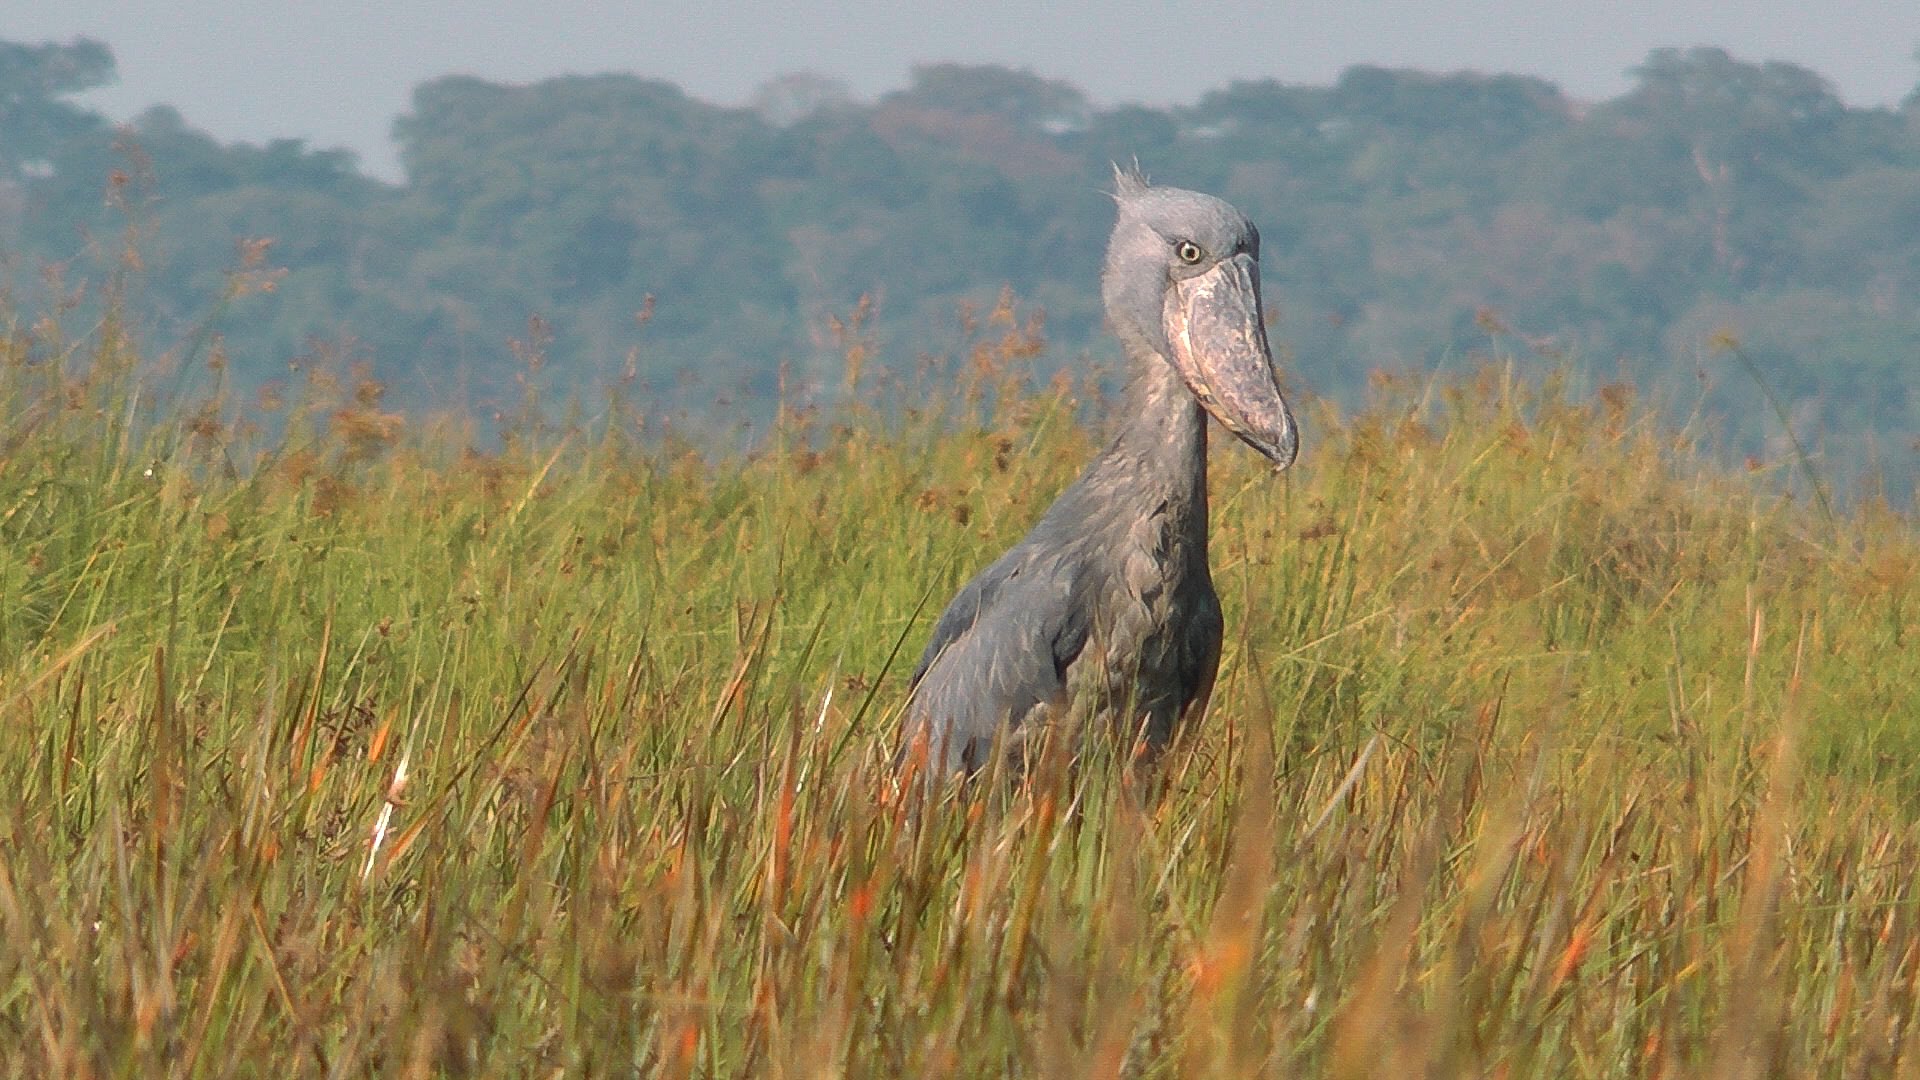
[(1109, 601)]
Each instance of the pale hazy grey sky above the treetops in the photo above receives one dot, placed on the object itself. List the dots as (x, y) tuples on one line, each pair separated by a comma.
[(337, 72)]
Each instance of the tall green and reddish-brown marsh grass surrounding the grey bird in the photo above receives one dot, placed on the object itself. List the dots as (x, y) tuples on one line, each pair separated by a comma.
[(1541, 749)]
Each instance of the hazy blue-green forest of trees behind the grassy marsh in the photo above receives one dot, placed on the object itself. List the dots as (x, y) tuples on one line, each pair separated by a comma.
[(1721, 233)]
